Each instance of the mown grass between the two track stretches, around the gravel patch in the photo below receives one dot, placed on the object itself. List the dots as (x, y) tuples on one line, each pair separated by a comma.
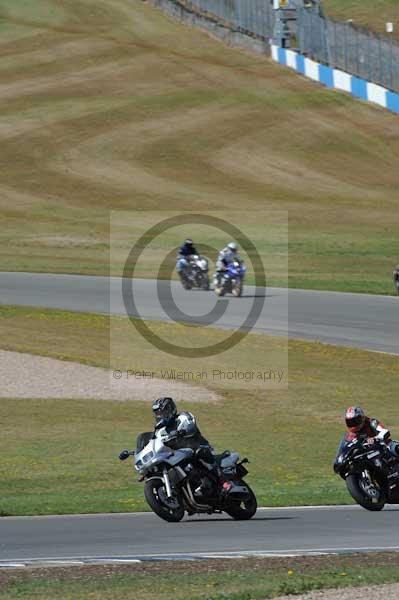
[(64, 452)]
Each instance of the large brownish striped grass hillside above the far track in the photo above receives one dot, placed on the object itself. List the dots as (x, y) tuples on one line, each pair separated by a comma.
[(110, 105)]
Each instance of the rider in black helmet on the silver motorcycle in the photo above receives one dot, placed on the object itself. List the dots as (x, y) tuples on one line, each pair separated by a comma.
[(188, 435)]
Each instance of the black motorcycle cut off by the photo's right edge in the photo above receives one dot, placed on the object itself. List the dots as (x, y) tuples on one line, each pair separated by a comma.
[(370, 471)]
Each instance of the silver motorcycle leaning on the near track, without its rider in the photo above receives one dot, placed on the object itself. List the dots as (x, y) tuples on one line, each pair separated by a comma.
[(173, 477)]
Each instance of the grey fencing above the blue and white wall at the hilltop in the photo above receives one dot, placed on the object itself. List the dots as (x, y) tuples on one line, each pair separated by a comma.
[(339, 45)]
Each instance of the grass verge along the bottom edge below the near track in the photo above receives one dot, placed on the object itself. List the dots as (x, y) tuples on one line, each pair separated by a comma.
[(248, 579)]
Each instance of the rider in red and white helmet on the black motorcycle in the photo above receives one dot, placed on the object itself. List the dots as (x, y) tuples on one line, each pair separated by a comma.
[(362, 427)]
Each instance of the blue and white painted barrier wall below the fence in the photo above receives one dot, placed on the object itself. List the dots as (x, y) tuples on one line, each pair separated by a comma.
[(336, 79)]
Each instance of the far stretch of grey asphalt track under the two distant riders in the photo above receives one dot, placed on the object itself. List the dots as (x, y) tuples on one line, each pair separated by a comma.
[(357, 320)]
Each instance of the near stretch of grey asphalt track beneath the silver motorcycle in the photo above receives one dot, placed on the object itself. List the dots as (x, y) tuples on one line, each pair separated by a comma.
[(143, 536)]
